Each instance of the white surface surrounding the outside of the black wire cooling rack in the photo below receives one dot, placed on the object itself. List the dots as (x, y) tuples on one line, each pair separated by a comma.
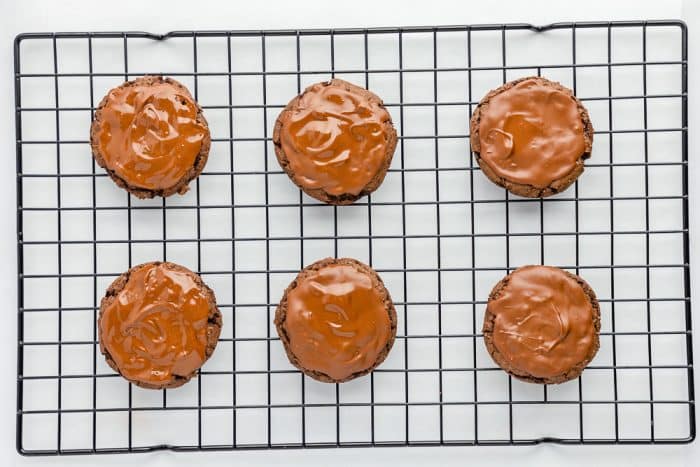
[(163, 16)]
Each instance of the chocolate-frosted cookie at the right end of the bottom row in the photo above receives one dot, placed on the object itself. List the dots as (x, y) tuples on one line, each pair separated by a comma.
[(542, 324)]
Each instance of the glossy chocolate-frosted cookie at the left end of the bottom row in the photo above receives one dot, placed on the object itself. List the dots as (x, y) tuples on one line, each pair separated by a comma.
[(158, 324)]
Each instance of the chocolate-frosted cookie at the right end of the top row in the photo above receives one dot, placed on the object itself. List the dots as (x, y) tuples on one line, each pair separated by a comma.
[(531, 137)]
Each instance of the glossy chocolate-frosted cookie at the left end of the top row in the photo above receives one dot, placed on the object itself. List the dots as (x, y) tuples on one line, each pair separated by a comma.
[(150, 136)]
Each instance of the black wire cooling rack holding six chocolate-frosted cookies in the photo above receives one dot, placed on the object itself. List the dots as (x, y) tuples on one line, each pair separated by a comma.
[(439, 233)]
